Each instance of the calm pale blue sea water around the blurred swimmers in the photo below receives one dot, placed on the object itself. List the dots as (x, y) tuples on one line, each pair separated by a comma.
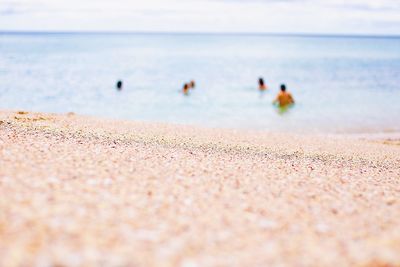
[(340, 84)]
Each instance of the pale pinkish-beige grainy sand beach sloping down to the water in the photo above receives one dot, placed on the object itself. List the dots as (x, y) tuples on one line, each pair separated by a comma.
[(82, 191)]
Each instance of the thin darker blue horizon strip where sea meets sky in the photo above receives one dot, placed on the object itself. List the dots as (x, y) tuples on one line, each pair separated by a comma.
[(272, 34)]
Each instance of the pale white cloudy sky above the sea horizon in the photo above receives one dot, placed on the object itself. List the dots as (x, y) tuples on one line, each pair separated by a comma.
[(364, 17)]
